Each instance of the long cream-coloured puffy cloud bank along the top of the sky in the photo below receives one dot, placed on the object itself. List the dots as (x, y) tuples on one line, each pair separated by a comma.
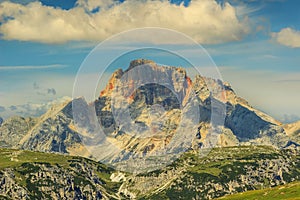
[(206, 21)]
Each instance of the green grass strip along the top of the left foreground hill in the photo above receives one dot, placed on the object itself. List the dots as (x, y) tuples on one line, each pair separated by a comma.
[(21, 161)]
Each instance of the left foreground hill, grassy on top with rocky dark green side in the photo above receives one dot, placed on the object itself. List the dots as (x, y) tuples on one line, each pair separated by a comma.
[(36, 175)]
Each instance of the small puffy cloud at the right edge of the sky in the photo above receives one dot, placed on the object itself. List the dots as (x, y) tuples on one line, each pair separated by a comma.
[(288, 37)]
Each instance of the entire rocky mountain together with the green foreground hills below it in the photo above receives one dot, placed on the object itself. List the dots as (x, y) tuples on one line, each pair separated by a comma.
[(158, 134)]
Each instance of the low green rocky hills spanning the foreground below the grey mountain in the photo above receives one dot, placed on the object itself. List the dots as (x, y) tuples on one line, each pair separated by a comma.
[(224, 171)]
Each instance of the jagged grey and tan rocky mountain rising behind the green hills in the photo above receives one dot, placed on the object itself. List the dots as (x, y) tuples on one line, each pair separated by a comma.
[(148, 110)]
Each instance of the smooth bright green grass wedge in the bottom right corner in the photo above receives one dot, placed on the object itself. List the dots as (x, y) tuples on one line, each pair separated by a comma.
[(289, 191)]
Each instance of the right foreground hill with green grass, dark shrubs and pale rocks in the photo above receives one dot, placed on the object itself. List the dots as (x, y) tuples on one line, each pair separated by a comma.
[(224, 171)]
